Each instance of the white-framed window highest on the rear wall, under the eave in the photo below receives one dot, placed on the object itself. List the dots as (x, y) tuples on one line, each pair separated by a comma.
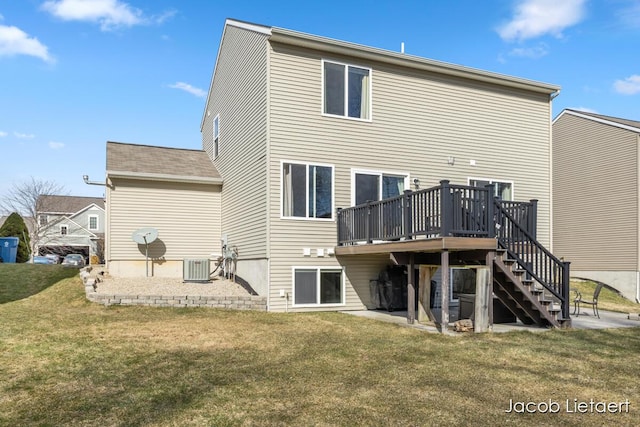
[(346, 90)]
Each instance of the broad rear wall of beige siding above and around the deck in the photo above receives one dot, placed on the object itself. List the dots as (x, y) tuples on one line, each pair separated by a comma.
[(419, 119)]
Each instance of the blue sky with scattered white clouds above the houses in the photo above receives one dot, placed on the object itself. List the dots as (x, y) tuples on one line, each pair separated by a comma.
[(77, 73)]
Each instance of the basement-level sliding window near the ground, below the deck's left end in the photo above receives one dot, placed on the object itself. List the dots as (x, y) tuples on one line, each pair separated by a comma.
[(317, 286)]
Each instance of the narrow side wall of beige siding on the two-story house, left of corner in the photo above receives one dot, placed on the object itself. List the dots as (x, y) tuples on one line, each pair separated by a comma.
[(239, 96)]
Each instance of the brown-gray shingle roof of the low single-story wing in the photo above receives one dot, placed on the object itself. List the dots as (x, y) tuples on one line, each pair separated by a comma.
[(140, 160)]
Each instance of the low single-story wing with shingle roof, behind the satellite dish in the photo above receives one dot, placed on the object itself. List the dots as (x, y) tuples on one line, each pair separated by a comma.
[(175, 191)]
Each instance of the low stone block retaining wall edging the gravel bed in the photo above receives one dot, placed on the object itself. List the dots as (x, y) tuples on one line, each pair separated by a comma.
[(209, 301)]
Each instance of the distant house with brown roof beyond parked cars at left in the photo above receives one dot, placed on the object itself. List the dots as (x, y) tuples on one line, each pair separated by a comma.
[(71, 224)]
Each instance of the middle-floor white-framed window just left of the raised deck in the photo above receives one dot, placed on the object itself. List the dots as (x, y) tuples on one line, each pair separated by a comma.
[(307, 191)]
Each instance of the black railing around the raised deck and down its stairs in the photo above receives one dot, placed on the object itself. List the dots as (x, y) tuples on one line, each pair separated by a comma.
[(461, 211)]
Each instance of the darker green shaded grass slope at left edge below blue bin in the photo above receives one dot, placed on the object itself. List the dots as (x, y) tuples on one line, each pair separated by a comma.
[(18, 281)]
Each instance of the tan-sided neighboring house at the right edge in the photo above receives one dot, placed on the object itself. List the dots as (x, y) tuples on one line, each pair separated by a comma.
[(596, 204)]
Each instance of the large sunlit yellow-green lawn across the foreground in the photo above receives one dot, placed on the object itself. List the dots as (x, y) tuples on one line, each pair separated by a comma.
[(65, 361)]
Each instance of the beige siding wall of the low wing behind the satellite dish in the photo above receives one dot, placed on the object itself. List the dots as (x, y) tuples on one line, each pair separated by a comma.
[(187, 217)]
